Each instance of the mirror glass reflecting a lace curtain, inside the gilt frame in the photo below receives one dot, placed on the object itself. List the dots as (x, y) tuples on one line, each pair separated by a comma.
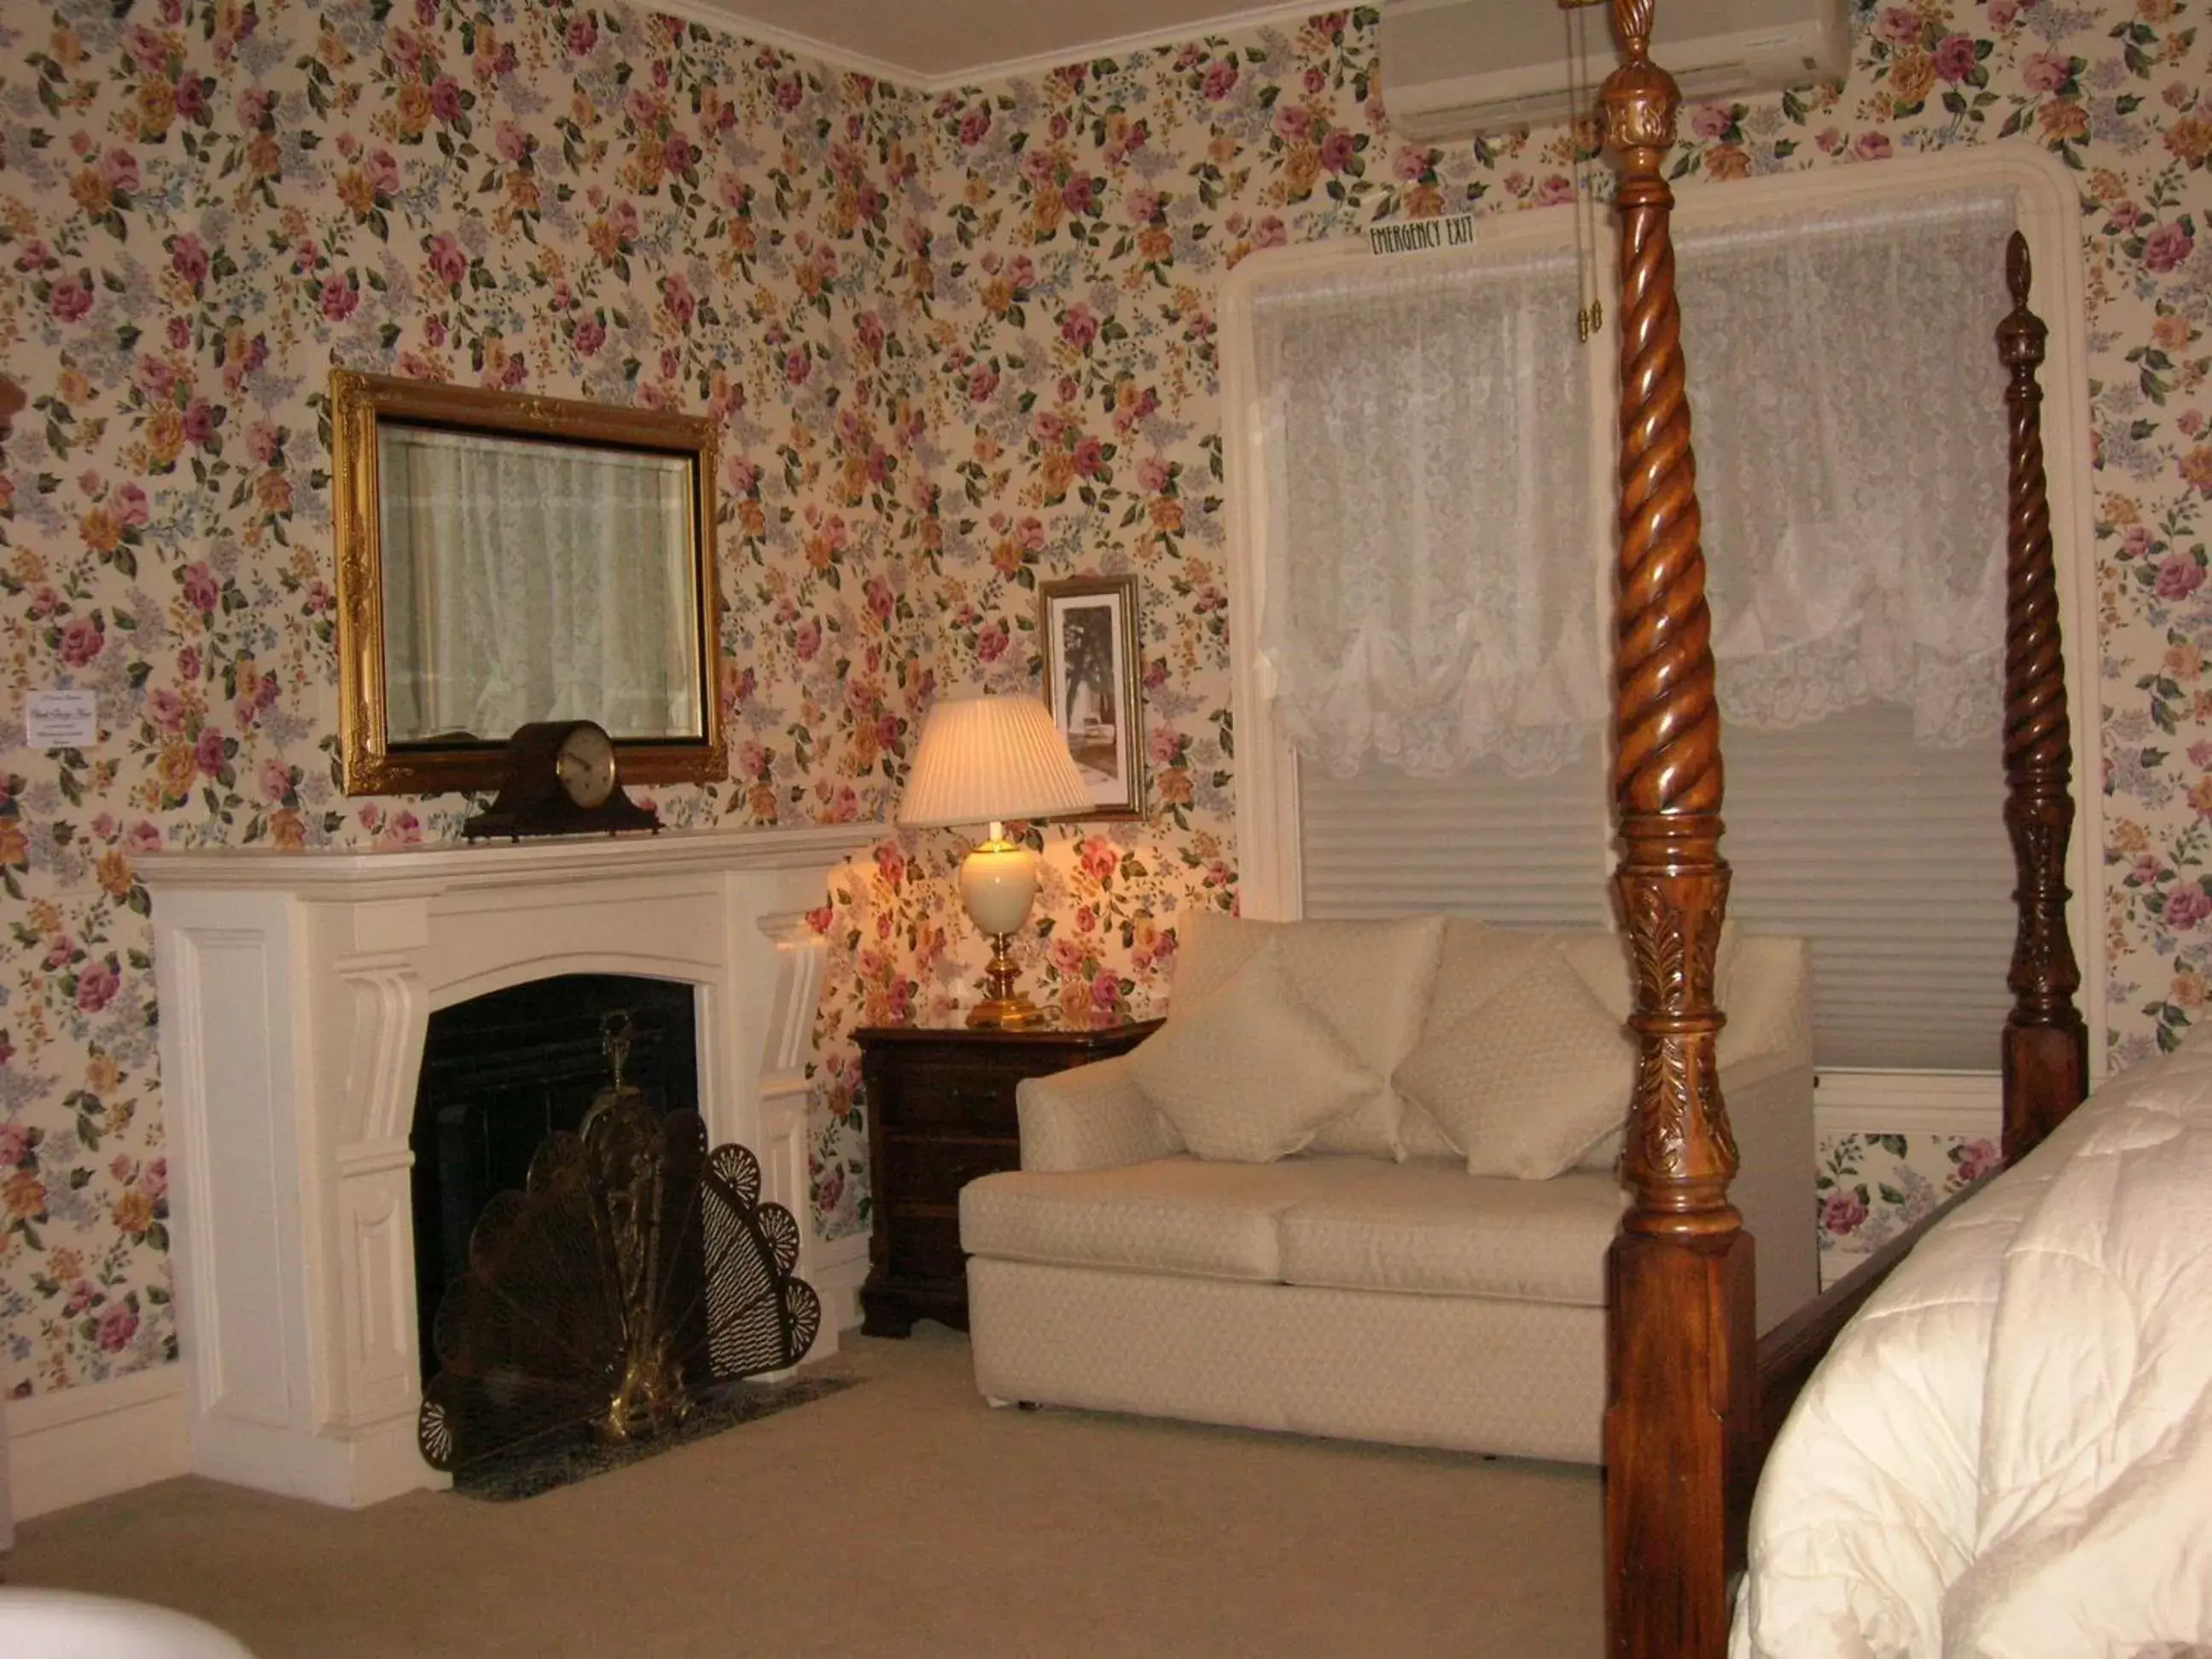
[(530, 581)]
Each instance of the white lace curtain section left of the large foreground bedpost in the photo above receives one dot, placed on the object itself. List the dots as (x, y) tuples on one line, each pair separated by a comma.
[(1430, 583)]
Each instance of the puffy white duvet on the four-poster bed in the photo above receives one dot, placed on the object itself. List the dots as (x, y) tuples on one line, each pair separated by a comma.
[(2010, 1452)]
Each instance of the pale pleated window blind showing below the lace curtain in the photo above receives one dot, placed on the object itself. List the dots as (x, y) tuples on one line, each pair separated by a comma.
[(1888, 857)]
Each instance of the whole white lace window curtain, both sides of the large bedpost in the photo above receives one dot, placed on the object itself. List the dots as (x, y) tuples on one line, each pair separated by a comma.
[(1439, 510)]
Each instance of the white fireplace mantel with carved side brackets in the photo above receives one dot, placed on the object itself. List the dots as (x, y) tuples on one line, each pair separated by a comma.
[(295, 997)]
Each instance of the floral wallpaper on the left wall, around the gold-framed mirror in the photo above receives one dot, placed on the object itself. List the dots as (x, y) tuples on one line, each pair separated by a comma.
[(207, 207)]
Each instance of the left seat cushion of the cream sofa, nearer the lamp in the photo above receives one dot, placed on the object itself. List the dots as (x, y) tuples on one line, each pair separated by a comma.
[(1173, 1215)]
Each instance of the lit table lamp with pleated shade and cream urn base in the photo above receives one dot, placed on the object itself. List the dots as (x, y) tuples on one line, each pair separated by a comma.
[(985, 760)]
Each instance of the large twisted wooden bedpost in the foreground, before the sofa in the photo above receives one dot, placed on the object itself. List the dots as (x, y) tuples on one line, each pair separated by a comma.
[(1680, 1273)]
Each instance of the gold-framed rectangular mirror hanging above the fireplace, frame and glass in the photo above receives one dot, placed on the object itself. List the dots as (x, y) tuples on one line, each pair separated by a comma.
[(508, 559)]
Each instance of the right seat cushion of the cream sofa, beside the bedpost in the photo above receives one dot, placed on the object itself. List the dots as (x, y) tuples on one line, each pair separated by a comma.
[(1434, 1229)]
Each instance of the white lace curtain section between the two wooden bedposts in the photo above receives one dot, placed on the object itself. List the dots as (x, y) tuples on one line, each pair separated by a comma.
[(1848, 415)]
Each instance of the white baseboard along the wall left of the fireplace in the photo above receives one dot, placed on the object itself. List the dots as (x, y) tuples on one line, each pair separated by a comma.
[(74, 1446)]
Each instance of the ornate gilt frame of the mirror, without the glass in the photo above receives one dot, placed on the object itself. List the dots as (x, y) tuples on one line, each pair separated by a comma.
[(357, 404)]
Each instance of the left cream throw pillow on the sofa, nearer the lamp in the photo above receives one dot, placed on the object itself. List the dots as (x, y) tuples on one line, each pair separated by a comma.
[(1249, 1072)]
